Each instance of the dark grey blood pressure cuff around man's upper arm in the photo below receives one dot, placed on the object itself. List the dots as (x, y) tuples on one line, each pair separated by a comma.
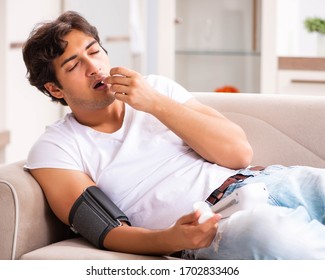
[(93, 215)]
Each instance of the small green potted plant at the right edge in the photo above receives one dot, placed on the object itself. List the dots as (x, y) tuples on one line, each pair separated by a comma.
[(317, 25)]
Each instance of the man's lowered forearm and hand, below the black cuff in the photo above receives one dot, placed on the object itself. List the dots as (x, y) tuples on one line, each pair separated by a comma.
[(186, 233)]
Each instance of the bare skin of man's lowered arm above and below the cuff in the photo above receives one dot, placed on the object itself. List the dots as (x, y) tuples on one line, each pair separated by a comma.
[(63, 187)]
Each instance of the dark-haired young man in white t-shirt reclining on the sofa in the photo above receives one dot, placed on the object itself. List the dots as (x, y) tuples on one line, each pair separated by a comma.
[(150, 147)]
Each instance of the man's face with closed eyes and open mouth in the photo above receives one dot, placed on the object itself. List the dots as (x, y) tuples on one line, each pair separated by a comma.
[(80, 69)]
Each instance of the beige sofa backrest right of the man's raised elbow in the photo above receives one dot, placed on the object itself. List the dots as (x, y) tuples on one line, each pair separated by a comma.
[(282, 129)]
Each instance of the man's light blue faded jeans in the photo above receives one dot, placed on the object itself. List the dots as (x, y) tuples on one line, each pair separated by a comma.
[(291, 226)]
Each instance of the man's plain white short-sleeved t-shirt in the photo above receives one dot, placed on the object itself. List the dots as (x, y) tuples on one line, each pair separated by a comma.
[(148, 171)]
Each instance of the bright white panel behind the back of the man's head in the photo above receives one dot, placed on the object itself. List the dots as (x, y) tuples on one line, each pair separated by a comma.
[(28, 111)]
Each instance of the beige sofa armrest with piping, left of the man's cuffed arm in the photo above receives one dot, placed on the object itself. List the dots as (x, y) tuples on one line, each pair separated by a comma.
[(26, 220)]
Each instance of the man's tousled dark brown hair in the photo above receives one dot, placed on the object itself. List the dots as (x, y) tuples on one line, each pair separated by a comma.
[(45, 43)]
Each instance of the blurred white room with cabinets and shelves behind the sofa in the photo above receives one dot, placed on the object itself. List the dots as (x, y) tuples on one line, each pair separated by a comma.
[(236, 46)]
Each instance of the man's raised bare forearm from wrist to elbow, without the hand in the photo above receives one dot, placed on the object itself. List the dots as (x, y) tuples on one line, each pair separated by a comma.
[(209, 133)]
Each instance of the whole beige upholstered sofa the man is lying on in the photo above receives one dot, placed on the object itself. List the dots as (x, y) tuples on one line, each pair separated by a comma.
[(288, 130)]
